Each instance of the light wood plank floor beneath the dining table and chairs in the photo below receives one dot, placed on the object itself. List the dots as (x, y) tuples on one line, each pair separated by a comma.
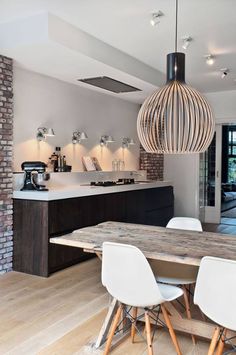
[(60, 315)]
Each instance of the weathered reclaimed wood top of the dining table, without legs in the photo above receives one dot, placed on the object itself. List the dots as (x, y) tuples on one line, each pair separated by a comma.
[(181, 246)]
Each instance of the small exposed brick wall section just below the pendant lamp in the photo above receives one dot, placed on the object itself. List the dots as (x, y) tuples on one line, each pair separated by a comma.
[(152, 163)]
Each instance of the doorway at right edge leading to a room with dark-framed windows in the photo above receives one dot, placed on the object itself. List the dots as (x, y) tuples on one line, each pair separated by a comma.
[(217, 179)]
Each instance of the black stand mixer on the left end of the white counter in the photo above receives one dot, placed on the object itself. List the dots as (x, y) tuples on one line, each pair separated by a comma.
[(32, 169)]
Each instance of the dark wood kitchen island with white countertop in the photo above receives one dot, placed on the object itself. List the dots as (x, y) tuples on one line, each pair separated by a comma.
[(38, 216)]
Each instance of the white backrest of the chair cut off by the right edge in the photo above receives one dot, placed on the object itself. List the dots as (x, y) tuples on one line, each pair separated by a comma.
[(216, 289)]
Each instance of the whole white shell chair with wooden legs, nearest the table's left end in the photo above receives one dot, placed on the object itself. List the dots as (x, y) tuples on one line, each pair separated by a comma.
[(128, 277)]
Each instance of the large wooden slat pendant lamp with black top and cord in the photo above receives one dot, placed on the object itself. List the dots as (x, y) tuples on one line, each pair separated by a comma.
[(176, 118)]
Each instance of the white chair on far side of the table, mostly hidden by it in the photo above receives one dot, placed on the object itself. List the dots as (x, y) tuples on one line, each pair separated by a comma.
[(177, 274)]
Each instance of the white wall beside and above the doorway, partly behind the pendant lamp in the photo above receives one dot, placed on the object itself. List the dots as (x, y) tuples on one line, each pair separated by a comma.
[(183, 170)]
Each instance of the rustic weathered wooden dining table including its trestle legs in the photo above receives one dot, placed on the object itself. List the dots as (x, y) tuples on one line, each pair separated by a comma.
[(157, 243)]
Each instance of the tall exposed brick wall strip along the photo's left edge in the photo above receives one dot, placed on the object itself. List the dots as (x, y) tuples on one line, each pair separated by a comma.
[(6, 176)]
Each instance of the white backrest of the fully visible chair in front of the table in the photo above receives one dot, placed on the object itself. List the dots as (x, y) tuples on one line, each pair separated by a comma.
[(128, 276)]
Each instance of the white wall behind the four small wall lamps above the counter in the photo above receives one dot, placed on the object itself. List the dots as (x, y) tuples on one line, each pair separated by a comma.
[(43, 101)]
